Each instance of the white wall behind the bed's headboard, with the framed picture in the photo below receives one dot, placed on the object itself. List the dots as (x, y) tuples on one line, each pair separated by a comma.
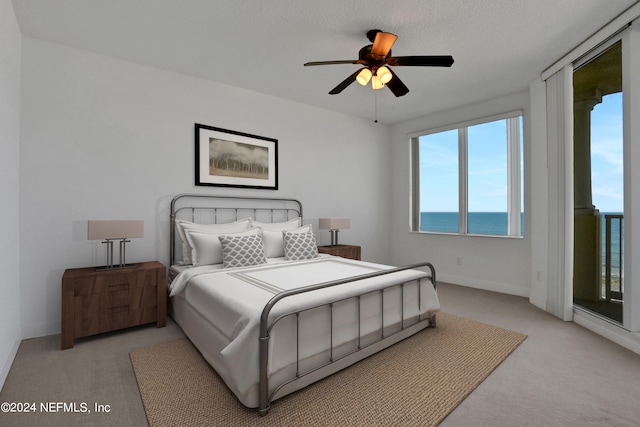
[(109, 139)]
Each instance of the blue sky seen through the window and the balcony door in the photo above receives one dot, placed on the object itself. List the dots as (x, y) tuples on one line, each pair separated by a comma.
[(487, 164)]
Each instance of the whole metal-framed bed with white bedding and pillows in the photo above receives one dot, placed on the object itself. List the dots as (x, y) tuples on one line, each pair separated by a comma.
[(269, 313)]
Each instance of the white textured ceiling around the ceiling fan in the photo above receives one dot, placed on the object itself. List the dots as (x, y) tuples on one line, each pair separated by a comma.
[(499, 46)]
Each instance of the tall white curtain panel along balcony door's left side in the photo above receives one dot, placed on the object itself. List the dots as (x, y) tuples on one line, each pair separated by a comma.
[(559, 89)]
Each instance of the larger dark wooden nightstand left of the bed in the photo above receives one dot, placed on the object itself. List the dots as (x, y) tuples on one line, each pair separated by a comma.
[(97, 301)]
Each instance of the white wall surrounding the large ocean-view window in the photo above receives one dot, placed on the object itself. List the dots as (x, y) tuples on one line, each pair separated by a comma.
[(497, 264)]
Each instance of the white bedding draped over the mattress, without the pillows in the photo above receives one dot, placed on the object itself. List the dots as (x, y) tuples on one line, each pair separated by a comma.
[(229, 302)]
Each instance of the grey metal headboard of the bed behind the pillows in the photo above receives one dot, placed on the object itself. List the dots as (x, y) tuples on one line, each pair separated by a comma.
[(210, 209)]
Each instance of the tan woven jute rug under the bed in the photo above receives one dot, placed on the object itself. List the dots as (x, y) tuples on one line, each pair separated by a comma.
[(417, 382)]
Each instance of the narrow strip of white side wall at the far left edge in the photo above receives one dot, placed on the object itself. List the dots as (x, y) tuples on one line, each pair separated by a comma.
[(10, 45)]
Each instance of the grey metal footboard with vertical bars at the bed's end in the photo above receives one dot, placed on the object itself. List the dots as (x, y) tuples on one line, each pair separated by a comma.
[(266, 327)]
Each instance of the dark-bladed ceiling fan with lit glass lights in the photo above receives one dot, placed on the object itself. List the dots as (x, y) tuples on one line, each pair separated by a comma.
[(376, 58)]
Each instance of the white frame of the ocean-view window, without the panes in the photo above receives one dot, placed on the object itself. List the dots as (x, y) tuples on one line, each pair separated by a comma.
[(514, 174)]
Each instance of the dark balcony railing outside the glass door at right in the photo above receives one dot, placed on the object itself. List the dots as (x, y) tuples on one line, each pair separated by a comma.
[(613, 257)]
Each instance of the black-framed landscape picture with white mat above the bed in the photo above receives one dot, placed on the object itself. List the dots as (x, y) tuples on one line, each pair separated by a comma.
[(226, 158)]
